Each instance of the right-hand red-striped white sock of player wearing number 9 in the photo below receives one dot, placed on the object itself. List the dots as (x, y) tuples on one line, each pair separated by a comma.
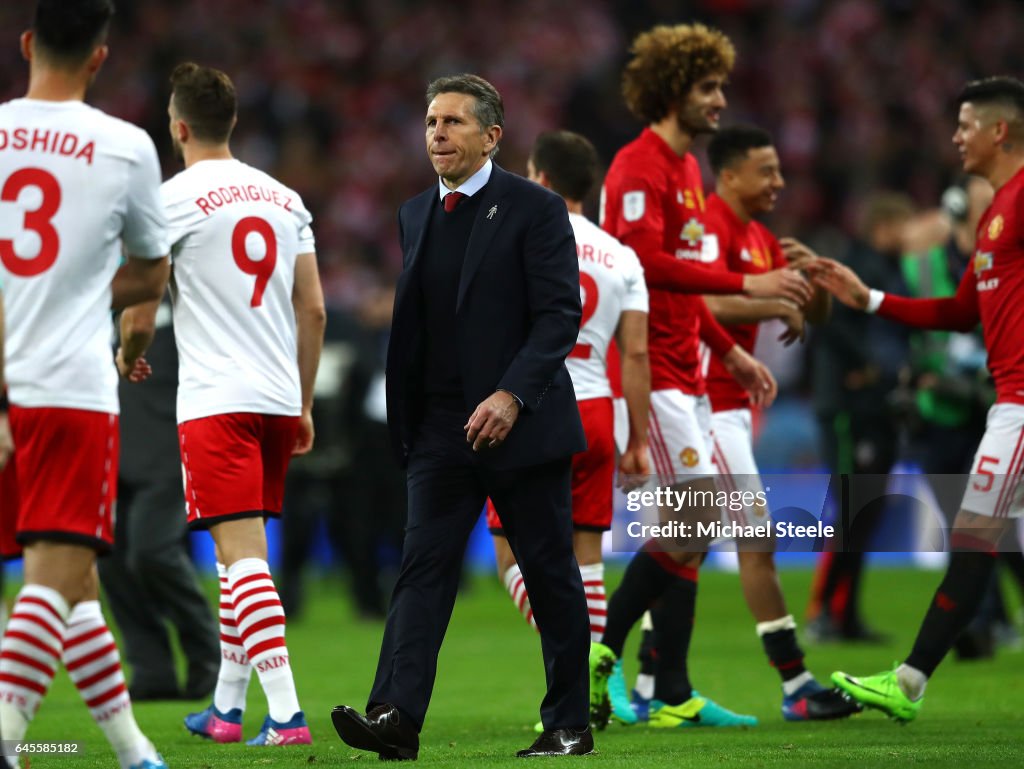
[(261, 621)]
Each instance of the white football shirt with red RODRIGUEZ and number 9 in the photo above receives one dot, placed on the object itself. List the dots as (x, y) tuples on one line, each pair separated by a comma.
[(235, 235)]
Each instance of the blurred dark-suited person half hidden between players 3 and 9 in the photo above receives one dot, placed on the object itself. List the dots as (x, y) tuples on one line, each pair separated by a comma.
[(149, 577)]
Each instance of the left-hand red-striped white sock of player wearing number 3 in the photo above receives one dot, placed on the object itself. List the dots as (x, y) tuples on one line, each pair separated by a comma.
[(30, 654)]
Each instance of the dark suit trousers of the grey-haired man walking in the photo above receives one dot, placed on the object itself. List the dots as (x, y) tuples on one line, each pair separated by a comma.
[(448, 486)]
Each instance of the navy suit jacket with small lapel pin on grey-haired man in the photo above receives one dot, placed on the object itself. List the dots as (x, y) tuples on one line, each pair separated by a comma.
[(518, 318)]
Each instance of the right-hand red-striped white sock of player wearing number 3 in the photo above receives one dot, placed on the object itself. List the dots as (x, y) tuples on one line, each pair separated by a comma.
[(95, 667)]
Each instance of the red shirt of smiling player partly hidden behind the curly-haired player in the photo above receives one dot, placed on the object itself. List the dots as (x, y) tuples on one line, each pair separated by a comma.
[(748, 248)]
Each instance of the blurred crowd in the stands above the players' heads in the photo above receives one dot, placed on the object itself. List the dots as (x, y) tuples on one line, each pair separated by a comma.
[(858, 93)]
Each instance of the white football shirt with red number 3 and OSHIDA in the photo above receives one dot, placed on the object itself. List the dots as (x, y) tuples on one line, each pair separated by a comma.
[(76, 185)]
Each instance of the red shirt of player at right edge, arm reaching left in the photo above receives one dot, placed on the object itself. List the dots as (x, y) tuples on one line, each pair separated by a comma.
[(993, 291)]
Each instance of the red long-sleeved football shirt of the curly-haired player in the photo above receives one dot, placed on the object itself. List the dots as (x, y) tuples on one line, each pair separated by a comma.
[(653, 201)]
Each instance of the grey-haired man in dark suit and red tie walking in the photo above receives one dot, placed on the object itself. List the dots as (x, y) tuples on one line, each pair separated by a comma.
[(481, 404)]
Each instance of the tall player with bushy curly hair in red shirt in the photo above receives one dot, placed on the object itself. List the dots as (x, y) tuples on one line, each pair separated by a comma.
[(654, 202)]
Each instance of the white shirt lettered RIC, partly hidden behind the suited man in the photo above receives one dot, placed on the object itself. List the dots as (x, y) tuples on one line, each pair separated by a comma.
[(611, 283)]
